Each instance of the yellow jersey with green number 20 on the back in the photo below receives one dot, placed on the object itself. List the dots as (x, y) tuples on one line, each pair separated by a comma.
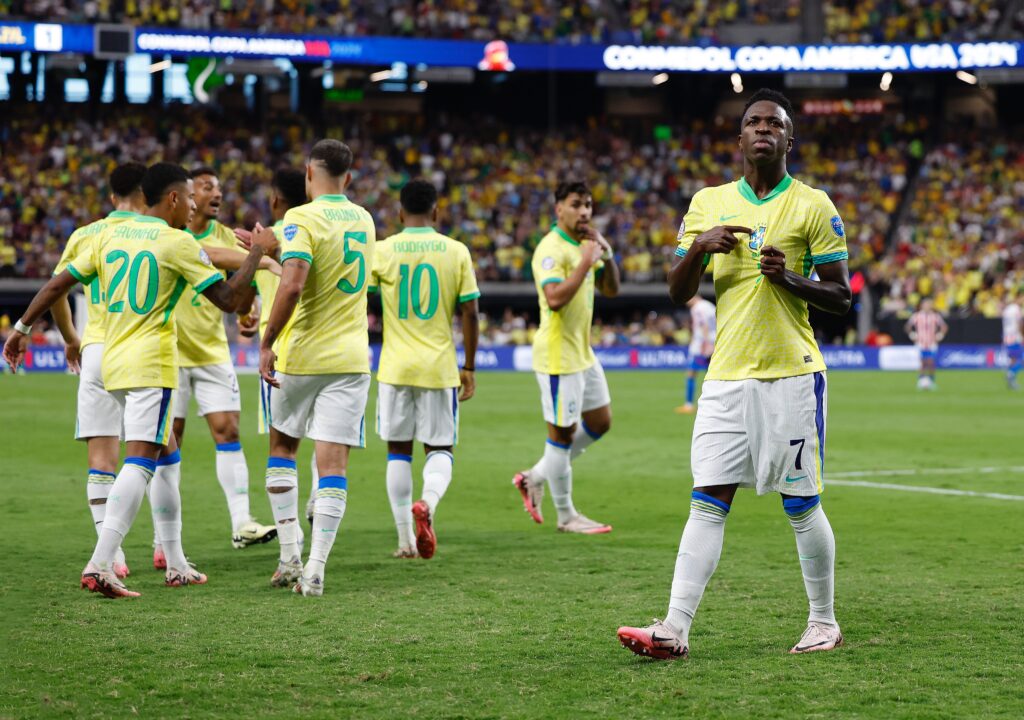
[(144, 267)]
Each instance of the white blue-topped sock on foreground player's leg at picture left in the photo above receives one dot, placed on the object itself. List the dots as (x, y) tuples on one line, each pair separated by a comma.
[(700, 549)]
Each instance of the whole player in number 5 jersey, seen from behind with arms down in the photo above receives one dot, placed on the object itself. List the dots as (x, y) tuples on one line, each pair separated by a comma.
[(322, 358)]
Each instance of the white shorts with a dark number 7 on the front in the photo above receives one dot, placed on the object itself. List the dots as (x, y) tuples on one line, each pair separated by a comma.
[(766, 435)]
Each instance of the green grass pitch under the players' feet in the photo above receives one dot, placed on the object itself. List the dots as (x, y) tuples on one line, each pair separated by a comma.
[(515, 620)]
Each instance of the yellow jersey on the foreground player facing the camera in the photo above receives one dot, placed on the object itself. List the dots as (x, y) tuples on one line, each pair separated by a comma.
[(763, 330)]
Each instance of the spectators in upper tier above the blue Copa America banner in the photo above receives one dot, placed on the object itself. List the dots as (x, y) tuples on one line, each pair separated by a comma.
[(650, 22)]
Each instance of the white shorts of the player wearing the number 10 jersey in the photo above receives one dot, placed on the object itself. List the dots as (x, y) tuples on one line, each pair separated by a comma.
[(423, 414)]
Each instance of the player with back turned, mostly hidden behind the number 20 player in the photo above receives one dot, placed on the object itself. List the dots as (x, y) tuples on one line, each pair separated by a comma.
[(99, 413)]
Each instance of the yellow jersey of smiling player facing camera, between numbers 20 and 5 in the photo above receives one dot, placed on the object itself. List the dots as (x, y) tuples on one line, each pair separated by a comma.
[(202, 340)]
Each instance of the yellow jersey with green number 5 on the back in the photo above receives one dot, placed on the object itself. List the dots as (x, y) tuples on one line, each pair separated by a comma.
[(328, 333)]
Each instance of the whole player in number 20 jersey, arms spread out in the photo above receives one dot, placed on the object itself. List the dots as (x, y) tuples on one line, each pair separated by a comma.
[(144, 266)]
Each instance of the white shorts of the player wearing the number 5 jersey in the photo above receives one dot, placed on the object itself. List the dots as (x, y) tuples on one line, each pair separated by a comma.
[(326, 408)]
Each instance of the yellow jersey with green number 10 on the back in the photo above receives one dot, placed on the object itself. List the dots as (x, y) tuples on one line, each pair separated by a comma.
[(422, 276)]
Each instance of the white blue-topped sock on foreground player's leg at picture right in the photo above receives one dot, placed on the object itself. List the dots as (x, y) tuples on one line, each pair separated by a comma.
[(817, 547)]
